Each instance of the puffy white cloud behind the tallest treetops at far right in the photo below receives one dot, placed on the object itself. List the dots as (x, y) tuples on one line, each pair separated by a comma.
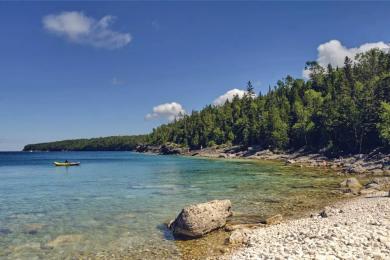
[(334, 53)]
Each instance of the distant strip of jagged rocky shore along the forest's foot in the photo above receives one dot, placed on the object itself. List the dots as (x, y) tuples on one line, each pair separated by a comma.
[(375, 163)]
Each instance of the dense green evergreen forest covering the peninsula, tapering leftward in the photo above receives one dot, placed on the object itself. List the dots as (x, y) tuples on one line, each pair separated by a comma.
[(336, 111)]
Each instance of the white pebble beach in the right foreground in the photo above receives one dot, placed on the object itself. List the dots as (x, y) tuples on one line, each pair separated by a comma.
[(355, 229)]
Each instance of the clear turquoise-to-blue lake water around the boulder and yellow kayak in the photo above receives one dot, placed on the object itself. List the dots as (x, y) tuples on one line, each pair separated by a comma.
[(116, 203)]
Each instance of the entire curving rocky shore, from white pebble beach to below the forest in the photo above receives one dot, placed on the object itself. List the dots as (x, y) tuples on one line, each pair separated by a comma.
[(356, 228)]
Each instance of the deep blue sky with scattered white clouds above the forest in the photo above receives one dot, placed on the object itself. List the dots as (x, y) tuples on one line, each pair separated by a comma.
[(87, 69)]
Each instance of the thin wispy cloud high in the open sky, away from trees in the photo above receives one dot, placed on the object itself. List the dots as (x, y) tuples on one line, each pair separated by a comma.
[(79, 28)]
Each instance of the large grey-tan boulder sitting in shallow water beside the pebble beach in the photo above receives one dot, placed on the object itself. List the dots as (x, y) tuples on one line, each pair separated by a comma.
[(197, 220)]
